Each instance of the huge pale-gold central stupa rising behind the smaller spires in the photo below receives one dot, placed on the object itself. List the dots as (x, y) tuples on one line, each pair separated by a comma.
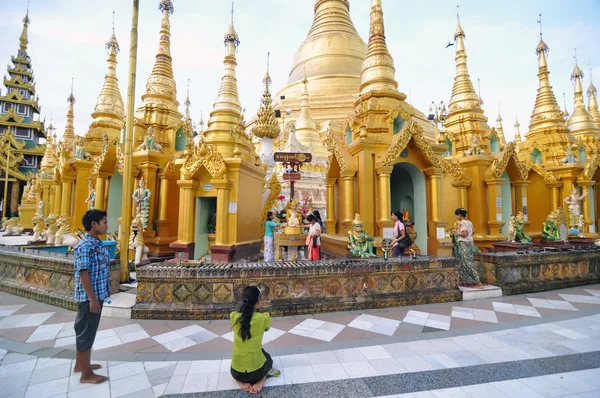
[(331, 56)]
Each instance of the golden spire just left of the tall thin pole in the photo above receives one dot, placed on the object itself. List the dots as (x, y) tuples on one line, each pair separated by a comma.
[(110, 110)]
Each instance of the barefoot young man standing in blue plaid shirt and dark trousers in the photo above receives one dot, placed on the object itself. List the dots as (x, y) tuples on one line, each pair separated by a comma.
[(92, 287)]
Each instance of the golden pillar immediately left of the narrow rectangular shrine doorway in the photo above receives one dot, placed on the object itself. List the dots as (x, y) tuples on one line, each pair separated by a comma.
[(184, 245)]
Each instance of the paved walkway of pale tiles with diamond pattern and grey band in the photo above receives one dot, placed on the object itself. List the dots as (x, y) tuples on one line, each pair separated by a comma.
[(545, 344)]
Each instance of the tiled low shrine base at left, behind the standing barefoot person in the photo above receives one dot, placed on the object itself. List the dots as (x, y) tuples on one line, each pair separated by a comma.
[(43, 276)]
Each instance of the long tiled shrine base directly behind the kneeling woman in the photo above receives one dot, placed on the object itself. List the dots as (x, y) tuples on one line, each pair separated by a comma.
[(212, 291)]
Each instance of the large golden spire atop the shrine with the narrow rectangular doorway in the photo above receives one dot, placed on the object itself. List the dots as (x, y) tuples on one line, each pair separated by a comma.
[(226, 115)]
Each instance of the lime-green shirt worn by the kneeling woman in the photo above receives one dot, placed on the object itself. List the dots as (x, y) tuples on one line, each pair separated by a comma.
[(247, 354)]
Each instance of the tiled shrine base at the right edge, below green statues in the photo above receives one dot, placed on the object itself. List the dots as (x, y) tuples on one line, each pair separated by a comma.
[(538, 271)]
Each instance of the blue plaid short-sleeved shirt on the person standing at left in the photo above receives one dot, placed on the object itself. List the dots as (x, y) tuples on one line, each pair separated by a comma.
[(90, 254)]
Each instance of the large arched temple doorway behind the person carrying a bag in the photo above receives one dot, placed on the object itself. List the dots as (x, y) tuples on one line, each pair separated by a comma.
[(408, 190)]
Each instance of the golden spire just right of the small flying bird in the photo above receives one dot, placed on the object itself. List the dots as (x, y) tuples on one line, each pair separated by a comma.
[(464, 98)]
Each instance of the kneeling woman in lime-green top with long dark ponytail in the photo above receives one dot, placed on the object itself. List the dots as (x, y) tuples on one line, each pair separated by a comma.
[(250, 364)]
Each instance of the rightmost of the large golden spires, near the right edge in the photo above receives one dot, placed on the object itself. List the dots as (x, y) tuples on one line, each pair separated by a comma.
[(546, 113)]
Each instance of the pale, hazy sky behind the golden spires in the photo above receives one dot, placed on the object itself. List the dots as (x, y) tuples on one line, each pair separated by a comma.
[(66, 40)]
